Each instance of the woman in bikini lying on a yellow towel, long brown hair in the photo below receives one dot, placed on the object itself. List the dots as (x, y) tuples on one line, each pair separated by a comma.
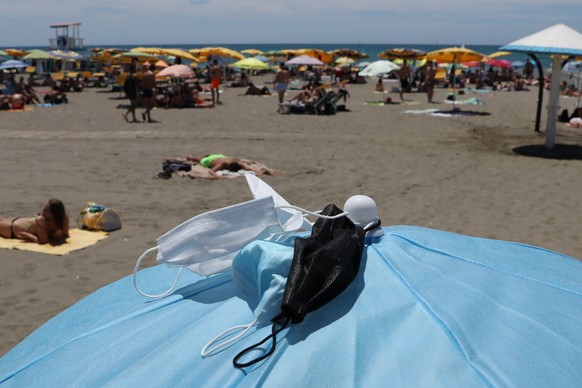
[(51, 225)]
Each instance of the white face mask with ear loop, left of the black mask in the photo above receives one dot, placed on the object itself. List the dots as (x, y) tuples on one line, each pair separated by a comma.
[(207, 243)]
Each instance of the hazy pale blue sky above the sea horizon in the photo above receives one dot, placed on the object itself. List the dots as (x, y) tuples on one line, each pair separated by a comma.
[(117, 22)]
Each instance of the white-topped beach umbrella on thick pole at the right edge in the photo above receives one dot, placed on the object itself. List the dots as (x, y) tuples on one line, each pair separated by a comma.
[(557, 40)]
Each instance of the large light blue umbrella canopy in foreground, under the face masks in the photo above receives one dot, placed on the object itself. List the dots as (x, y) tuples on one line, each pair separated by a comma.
[(426, 308)]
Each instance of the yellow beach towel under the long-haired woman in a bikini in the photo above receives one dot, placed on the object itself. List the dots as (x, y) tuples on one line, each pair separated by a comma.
[(79, 239)]
